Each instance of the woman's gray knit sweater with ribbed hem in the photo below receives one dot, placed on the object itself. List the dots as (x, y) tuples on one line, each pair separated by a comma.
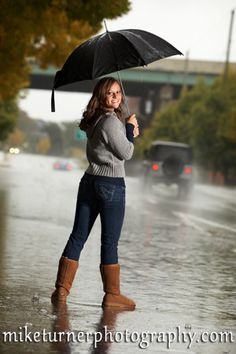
[(108, 147)]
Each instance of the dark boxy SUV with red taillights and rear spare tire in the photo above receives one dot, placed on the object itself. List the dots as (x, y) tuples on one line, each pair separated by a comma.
[(170, 163)]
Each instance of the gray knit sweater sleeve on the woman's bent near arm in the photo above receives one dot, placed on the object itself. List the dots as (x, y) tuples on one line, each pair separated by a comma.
[(115, 136)]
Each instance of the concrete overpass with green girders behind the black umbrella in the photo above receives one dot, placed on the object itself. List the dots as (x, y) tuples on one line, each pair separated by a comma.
[(153, 86)]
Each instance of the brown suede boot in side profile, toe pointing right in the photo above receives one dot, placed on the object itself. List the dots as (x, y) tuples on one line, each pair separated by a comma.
[(111, 284)]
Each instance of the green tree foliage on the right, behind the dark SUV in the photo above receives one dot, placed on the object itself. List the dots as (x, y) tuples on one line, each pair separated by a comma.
[(204, 117)]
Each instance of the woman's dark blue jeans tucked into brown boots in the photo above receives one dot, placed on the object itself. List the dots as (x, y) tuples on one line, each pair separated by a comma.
[(98, 196)]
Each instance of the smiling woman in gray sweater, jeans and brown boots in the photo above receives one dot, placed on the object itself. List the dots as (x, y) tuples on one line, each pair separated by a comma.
[(101, 191)]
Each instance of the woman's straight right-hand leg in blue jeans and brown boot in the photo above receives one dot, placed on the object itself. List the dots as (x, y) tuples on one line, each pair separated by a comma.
[(112, 210)]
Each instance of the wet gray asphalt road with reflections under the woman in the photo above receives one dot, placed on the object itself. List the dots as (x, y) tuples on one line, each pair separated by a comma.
[(178, 261)]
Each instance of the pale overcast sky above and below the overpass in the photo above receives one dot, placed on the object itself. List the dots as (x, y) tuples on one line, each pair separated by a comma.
[(200, 27)]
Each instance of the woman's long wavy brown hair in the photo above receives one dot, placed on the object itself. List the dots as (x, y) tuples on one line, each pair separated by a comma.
[(96, 105)]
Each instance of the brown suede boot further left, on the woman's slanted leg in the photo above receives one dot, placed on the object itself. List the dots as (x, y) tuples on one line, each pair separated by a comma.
[(65, 276)]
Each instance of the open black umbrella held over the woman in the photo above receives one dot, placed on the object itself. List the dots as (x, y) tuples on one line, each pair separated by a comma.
[(110, 52)]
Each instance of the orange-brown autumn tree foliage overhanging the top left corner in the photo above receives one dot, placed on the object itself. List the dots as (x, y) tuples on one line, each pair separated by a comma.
[(45, 31)]
